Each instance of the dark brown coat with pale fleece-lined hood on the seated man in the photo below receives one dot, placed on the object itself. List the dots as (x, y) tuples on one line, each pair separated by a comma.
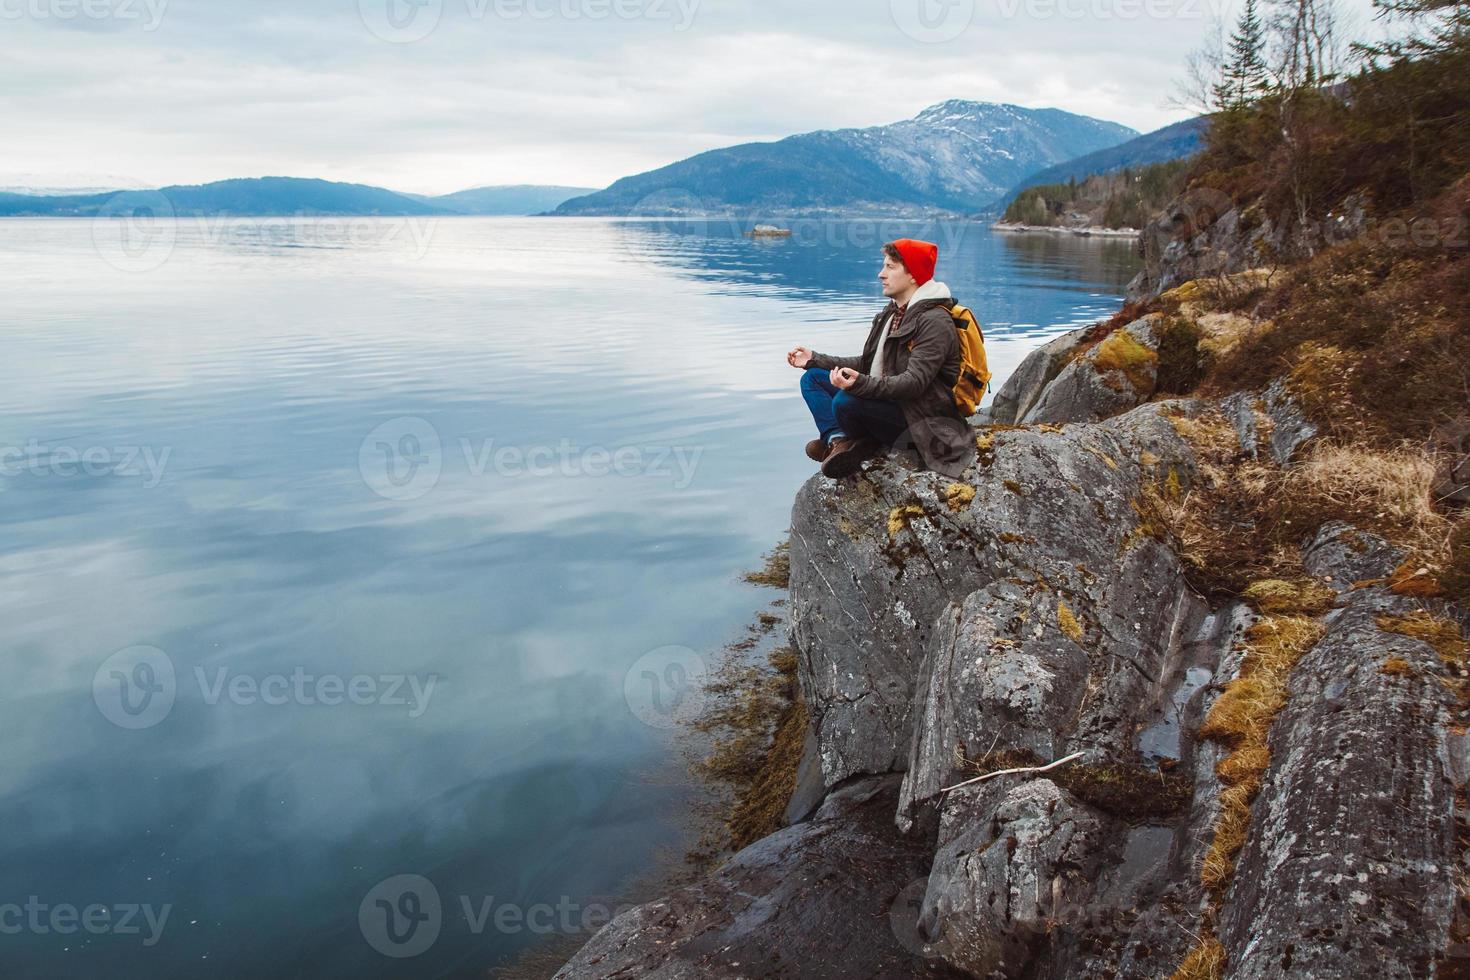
[(921, 365)]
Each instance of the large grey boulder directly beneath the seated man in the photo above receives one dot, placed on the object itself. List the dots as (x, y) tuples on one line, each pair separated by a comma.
[(883, 571)]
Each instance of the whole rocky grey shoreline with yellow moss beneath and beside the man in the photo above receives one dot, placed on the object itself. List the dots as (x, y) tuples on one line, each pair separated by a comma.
[(1272, 779)]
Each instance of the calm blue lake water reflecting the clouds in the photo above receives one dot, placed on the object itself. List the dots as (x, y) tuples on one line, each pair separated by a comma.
[(340, 552)]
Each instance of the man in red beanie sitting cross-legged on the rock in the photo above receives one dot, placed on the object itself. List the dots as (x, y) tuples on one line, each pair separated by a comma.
[(900, 390)]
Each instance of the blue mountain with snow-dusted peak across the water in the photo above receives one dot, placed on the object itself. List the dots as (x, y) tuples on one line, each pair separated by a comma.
[(956, 158)]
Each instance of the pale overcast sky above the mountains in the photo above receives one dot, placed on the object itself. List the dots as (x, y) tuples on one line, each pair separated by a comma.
[(436, 96)]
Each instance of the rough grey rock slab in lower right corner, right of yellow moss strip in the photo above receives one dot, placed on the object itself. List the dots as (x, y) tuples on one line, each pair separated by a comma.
[(1350, 866)]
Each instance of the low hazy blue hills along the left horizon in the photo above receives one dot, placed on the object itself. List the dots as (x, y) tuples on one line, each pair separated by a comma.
[(289, 196)]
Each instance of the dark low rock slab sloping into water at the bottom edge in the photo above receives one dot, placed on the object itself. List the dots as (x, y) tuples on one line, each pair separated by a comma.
[(815, 901)]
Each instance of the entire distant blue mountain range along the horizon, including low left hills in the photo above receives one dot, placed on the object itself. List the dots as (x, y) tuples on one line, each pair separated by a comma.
[(956, 158)]
